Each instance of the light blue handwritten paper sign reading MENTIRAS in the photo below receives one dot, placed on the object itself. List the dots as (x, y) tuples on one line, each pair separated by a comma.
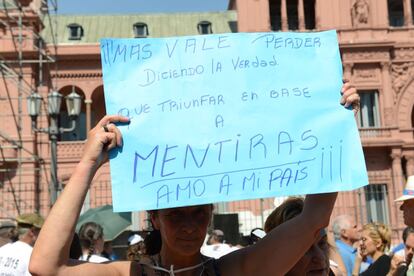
[(228, 117)]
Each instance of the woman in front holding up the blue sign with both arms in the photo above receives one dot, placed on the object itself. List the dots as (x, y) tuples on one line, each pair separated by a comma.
[(182, 230)]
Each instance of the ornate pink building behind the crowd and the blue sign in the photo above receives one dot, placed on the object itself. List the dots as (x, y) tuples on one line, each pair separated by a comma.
[(36, 54)]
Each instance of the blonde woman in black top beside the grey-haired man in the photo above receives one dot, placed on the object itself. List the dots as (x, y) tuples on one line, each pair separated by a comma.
[(375, 240)]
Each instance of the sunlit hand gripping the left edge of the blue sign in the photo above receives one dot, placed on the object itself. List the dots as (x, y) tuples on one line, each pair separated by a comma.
[(102, 138)]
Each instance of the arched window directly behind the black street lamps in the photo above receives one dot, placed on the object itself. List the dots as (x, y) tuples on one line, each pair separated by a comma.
[(79, 133)]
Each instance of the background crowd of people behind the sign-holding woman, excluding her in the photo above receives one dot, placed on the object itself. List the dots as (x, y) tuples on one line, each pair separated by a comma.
[(345, 248)]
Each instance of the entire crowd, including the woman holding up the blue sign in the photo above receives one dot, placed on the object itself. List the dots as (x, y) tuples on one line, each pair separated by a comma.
[(296, 239)]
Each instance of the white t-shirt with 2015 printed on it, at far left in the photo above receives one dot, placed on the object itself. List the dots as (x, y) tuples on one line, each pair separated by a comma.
[(14, 259)]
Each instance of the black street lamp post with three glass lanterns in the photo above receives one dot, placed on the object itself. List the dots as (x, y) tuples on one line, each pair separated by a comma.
[(73, 105)]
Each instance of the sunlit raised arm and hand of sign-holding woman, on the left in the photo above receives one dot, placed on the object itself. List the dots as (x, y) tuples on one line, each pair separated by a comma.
[(51, 252)]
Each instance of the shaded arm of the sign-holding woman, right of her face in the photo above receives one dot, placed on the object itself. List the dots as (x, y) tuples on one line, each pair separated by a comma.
[(279, 251)]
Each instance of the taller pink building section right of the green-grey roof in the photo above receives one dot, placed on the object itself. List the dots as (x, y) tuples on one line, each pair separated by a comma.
[(377, 47)]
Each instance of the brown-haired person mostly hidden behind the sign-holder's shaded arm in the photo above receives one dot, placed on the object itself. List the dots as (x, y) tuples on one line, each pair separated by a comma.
[(316, 259)]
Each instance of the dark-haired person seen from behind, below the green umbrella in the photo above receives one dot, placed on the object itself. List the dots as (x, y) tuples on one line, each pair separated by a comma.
[(92, 243)]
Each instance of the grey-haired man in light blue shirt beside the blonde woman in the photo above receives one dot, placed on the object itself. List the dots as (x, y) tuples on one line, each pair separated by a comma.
[(346, 233)]
